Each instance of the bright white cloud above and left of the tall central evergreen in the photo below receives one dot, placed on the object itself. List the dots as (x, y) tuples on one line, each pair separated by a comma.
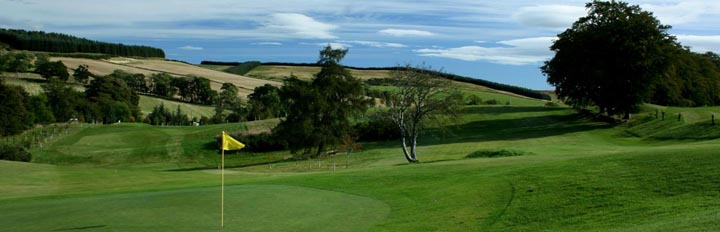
[(300, 26)]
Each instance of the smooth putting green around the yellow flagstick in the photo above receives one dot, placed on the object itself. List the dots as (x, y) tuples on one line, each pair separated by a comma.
[(247, 208)]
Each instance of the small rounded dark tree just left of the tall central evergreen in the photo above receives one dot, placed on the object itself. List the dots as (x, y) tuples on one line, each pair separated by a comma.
[(265, 103)]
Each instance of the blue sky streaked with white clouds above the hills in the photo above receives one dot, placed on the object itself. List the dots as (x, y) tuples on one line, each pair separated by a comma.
[(502, 41)]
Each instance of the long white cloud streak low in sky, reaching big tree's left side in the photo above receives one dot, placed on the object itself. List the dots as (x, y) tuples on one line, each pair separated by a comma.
[(513, 52)]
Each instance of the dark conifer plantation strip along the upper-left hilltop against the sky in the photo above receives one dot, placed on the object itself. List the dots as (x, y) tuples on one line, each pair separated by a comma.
[(55, 42)]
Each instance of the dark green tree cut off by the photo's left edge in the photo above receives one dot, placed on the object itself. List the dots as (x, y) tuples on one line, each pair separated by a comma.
[(15, 117)]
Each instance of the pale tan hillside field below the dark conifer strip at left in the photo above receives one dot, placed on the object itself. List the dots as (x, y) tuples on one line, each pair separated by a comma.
[(150, 66)]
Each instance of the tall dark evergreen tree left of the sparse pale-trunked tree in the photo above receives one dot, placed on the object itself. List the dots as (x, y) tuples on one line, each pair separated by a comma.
[(319, 113)]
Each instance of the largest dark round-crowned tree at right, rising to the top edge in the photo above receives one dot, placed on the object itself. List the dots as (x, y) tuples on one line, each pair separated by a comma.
[(610, 57)]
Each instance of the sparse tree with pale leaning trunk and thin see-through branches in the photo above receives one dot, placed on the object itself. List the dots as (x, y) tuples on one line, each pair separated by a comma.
[(420, 98)]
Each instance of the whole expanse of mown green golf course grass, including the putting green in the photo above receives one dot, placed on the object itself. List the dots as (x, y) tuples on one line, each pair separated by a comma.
[(582, 175)]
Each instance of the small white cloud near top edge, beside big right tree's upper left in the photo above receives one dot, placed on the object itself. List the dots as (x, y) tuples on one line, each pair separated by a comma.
[(549, 16)]
